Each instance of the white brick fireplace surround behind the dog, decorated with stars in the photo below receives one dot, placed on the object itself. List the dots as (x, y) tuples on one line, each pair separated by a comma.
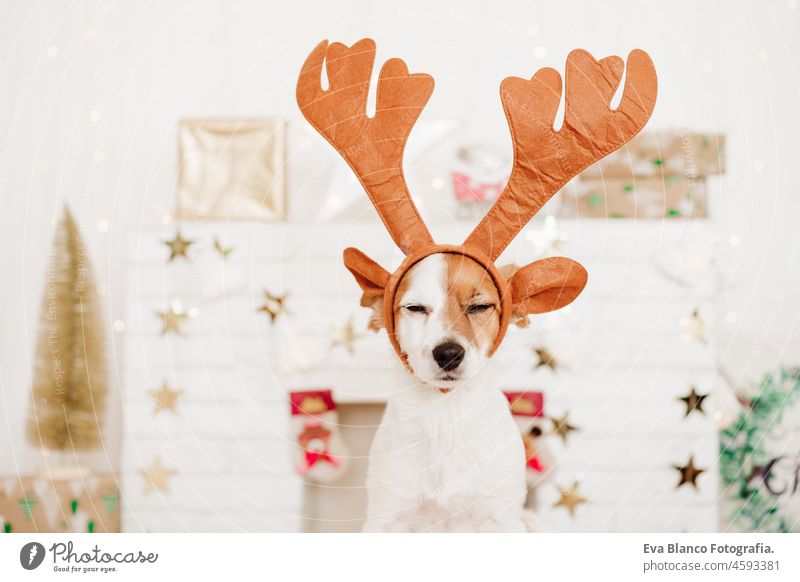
[(625, 363)]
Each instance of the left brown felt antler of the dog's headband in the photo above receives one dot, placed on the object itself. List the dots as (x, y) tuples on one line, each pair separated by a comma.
[(372, 146)]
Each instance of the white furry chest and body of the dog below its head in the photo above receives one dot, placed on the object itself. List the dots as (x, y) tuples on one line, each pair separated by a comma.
[(454, 462)]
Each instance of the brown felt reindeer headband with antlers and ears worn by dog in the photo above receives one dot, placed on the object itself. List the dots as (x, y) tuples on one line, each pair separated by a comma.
[(544, 159)]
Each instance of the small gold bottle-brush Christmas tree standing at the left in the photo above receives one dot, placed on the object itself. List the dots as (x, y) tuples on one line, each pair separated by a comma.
[(70, 378)]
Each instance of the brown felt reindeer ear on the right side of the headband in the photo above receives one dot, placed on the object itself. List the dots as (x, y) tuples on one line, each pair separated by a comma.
[(547, 285)]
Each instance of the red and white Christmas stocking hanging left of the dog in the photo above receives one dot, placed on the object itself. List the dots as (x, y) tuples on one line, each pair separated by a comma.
[(320, 453)]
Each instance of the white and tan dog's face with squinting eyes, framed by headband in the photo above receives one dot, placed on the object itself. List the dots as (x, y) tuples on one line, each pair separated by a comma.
[(447, 317)]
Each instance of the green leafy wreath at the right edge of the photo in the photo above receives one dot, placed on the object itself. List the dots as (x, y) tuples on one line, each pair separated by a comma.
[(742, 449)]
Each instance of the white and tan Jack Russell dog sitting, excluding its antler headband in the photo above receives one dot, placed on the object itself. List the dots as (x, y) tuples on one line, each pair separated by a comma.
[(448, 455)]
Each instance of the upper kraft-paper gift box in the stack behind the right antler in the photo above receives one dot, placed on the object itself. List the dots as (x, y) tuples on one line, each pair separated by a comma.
[(663, 153)]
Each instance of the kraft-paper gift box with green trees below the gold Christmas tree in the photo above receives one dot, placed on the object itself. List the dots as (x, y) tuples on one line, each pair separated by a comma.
[(88, 503)]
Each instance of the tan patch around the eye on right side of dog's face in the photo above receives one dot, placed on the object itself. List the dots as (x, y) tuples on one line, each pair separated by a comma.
[(473, 302)]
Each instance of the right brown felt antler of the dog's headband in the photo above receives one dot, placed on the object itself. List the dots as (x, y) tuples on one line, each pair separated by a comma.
[(546, 159)]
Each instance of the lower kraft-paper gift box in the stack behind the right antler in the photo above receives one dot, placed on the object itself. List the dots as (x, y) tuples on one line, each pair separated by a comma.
[(668, 196)]
